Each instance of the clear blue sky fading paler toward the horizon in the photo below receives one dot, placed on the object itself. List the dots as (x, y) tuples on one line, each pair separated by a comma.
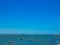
[(30, 16)]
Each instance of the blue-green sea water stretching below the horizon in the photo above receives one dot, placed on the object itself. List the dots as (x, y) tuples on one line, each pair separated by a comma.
[(29, 39)]
